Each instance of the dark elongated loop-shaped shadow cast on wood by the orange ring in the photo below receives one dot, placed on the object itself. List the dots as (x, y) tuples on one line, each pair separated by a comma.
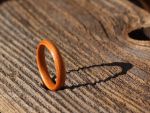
[(125, 67)]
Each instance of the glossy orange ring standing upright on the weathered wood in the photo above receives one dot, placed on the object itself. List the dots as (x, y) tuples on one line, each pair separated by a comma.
[(59, 65)]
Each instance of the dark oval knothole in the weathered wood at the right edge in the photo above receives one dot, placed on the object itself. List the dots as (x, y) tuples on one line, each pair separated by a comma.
[(142, 34)]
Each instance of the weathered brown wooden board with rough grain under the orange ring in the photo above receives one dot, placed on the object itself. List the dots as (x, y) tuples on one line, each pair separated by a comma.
[(106, 70)]
